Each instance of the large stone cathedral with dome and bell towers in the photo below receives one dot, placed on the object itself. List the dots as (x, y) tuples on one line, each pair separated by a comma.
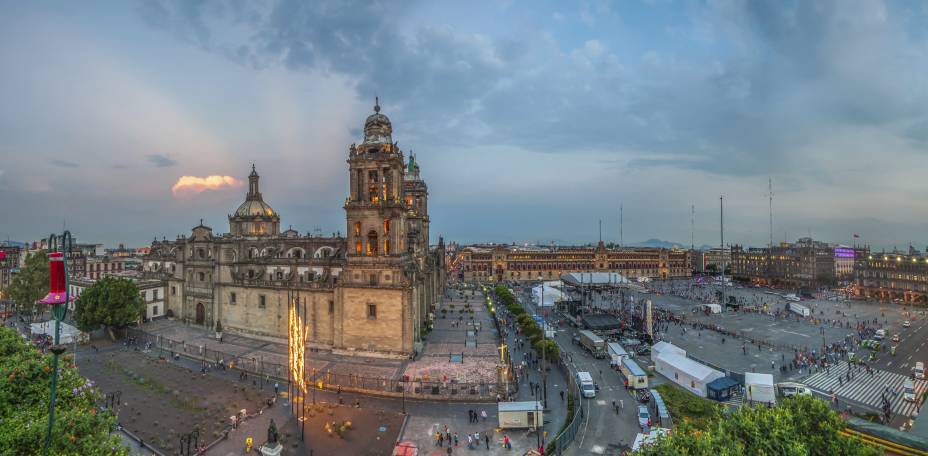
[(369, 293)]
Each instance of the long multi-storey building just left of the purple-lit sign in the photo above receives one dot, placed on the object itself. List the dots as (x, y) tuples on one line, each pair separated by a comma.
[(803, 264)]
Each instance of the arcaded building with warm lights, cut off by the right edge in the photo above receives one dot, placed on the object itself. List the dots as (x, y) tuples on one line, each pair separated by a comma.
[(892, 276)]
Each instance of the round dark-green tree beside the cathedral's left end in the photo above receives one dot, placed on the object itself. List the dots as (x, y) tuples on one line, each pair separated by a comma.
[(111, 302)]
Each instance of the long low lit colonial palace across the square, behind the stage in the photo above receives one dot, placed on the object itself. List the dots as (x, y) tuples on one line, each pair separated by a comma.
[(503, 262)]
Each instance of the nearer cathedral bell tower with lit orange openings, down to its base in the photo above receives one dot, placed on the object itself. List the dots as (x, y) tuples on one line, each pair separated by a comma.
[(373, 310)]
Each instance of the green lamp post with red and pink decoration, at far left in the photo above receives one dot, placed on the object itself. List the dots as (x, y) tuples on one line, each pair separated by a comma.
[(58, 297)]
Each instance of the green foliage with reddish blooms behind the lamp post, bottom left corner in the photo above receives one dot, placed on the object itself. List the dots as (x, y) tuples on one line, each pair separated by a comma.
[(80, 428)]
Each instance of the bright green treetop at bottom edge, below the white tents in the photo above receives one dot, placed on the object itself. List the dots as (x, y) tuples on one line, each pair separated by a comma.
[(800, 425)]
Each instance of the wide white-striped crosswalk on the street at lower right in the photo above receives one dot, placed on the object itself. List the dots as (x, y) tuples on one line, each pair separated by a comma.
[(865, 388)]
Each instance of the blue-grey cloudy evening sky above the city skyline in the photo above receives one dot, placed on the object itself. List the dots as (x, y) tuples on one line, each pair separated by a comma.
[(531, 120)]
